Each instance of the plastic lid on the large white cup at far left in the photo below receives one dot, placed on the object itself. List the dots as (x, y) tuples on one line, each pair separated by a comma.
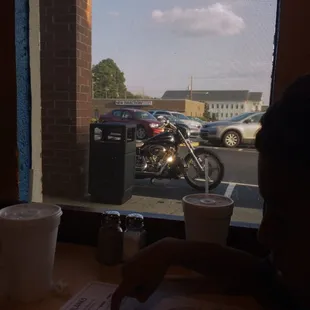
[(24, 214)]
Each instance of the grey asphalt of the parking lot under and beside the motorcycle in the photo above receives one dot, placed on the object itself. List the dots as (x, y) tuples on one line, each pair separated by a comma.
[(239, 183)]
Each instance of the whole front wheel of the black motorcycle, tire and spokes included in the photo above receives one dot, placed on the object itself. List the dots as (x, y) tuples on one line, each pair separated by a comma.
[(197, 181)]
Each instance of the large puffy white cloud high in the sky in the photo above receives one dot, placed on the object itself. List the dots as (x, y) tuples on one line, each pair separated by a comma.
[(216, 19)]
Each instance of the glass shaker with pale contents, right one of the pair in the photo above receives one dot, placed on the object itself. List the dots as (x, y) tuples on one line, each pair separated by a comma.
[(134, 235)]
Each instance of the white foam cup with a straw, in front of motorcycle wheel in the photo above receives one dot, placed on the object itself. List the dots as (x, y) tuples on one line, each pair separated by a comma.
[(207, 217)]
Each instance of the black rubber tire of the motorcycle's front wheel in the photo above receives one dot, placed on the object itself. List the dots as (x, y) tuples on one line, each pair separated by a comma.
[(208, 153)]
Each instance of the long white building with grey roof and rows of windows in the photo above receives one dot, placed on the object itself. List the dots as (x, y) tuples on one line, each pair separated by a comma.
[(221, 104)]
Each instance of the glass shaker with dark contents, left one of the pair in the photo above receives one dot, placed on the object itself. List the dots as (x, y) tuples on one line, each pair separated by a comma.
[(110, 239)]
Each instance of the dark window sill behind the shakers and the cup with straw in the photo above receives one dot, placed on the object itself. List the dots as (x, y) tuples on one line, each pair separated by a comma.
[(80, 225)]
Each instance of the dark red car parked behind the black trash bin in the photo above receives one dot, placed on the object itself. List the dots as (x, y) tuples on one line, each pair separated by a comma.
[(147, 125)]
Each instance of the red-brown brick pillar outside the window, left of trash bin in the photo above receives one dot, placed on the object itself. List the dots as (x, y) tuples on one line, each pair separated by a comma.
[(66, 95)]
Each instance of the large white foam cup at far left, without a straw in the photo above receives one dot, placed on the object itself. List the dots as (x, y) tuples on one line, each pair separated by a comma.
[(28, 234)]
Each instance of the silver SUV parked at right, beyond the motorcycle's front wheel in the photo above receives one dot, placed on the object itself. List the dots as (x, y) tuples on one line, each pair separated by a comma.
[(241, 129)]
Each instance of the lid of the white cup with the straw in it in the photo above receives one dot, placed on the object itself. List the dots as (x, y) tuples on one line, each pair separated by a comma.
[(211, 203)]
